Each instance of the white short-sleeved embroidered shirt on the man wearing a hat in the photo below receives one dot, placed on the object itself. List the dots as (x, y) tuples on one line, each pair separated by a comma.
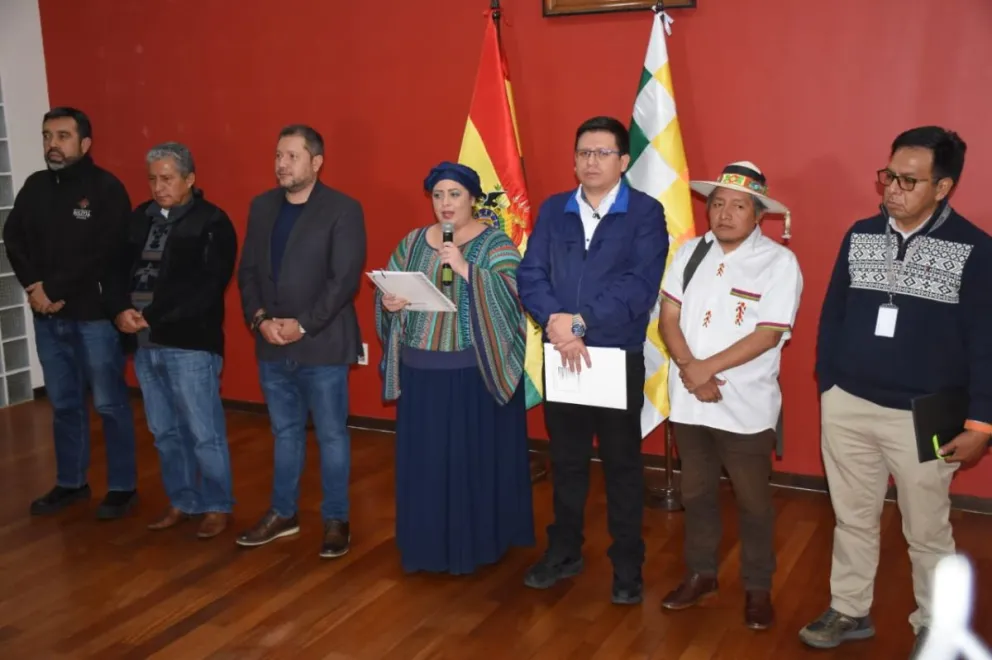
[(758, 285)]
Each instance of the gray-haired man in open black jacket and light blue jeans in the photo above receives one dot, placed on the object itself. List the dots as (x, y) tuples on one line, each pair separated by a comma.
[(178, 259)]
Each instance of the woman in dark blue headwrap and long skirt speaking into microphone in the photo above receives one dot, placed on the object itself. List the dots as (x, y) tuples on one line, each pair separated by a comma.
[(463, 490)]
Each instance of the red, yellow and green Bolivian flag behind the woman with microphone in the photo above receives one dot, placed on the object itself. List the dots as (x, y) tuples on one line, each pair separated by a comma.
[(491, 146)]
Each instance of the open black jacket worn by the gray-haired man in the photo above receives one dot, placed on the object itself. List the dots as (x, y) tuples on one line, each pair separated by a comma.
[(187, 308)]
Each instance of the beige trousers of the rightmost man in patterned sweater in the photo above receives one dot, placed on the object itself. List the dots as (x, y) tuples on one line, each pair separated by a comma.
[(863, 444)]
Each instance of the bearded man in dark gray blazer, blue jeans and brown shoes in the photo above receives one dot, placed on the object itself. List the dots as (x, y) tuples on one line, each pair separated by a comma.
[(300, 269)]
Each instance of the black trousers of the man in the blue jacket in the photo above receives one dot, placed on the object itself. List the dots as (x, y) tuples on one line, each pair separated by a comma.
[(571, 429)]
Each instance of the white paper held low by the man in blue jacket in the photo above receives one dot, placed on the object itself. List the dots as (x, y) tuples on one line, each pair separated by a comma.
[(604, 384)]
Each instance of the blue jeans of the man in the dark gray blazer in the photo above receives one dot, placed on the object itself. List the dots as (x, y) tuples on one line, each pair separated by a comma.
[(291, 389)]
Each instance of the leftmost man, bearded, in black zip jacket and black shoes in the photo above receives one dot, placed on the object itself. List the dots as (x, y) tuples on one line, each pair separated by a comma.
[(60, 235)]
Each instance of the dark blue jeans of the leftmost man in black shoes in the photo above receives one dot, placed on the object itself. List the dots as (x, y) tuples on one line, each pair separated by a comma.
[(74, 354)]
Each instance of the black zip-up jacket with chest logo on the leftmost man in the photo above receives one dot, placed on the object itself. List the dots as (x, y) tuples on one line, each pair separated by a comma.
[(62, 231)]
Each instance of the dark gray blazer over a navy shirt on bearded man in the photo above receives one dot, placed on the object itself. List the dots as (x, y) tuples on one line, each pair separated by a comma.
[(319, 279)]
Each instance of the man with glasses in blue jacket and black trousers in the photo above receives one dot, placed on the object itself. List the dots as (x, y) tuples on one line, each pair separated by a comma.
[(590, 277)]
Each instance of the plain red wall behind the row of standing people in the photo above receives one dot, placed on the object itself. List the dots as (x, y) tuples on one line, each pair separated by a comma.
[(812, 92)]
